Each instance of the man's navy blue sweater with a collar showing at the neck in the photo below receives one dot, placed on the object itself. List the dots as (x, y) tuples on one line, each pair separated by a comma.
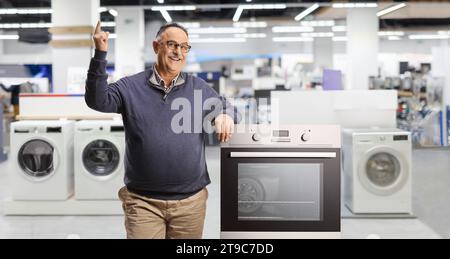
[(160, 162)]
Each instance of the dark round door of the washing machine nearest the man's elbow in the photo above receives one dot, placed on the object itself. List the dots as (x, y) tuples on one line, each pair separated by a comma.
[(101, 158)]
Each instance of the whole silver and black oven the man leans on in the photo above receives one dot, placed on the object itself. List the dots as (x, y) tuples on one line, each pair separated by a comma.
[(281, 182)]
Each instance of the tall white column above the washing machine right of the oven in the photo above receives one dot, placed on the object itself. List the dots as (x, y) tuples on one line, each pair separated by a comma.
[(362, 47)]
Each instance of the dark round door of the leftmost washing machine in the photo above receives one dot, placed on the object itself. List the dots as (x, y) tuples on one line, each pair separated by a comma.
[(36, 158)]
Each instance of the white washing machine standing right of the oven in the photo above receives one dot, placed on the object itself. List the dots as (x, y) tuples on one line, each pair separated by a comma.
[(377, 171)]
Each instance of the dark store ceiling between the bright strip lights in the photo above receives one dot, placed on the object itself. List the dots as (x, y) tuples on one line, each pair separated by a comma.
[(416, 15)]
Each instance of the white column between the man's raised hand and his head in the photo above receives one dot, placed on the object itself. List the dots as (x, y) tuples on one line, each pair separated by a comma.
[(129, 46)]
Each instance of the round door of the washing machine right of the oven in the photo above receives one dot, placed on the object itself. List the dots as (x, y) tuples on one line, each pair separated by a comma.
[(383, 171)]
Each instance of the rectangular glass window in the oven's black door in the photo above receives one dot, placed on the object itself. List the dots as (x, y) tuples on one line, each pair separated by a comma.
[(279, 192)]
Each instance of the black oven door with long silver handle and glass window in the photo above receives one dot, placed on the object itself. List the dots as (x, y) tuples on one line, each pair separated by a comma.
[(270, 190)]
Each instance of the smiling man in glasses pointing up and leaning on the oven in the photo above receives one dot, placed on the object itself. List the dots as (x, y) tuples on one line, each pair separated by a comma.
[(165, 169)]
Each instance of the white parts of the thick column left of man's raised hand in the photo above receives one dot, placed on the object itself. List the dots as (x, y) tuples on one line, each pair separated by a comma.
[(70, 62)]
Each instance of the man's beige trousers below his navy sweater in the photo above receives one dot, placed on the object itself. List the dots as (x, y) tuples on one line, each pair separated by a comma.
[(147, 218)]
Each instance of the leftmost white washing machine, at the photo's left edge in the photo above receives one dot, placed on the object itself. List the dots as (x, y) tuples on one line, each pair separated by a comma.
[(42, 160)]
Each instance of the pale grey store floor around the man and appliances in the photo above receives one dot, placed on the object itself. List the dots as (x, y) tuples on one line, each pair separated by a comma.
[(431, 192)]
